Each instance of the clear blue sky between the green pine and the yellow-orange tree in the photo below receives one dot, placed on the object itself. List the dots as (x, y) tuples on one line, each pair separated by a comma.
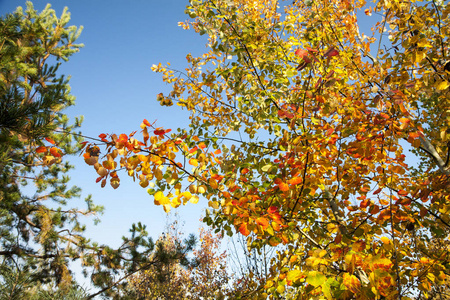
[(116, 90)]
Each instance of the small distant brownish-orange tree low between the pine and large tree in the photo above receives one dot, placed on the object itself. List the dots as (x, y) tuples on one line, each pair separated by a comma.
[(201, 275)]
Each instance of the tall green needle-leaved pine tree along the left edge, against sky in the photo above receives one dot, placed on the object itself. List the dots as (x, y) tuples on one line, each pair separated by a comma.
[(37, 229)]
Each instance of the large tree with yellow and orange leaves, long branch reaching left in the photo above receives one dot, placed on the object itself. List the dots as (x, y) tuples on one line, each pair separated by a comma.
[(300, 128)]
